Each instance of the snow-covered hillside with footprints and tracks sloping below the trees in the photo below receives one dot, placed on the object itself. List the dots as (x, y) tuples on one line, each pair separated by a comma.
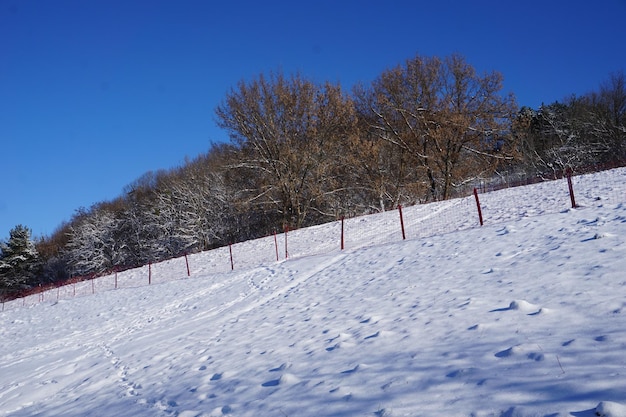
[(525, 316)]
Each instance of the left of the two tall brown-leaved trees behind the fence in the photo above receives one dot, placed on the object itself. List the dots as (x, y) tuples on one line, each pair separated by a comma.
[(288, 130)]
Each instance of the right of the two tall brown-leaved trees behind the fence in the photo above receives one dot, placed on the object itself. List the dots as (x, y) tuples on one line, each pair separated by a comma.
[(450, 120)]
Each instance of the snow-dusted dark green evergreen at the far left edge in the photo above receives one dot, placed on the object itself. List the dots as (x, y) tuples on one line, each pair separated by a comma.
[(19, 261)]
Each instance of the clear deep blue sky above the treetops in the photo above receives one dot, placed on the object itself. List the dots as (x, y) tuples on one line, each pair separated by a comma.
[(94, 93)]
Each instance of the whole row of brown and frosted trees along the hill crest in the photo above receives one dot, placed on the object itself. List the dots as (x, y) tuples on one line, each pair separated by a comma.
[(303, 153)]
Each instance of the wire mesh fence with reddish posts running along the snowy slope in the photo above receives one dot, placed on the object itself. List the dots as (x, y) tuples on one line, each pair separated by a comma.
[(499, 202)]
